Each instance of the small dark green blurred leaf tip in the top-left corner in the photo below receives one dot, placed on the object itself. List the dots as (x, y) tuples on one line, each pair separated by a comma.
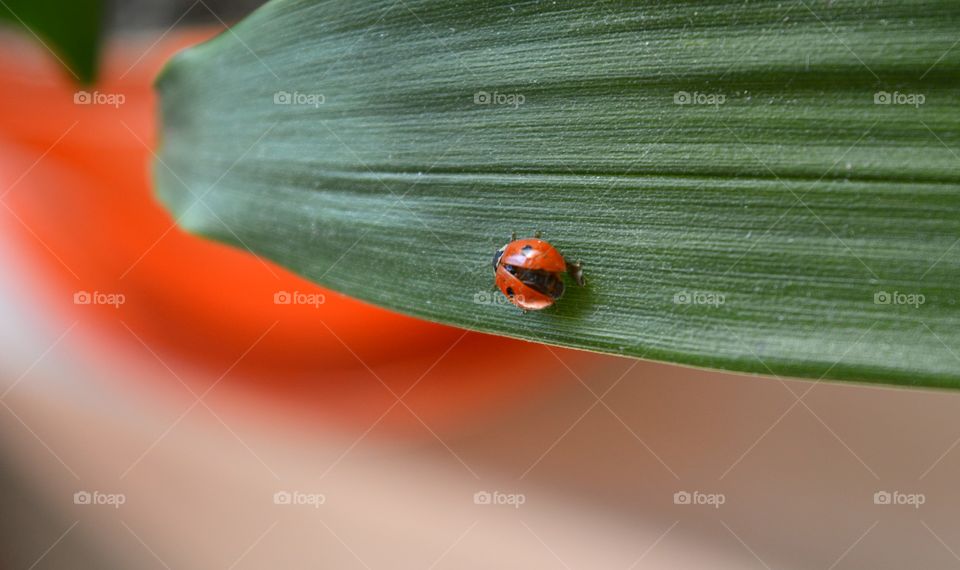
[(69, 30)]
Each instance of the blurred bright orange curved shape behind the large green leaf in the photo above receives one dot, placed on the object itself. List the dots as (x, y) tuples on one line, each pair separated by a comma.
[(88, 217)]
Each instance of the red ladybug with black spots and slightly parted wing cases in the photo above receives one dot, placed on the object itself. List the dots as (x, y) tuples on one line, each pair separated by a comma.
[(529, 272)]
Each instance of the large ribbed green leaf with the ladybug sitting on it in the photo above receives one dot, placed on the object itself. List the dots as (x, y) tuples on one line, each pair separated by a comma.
[(812, 176)]
